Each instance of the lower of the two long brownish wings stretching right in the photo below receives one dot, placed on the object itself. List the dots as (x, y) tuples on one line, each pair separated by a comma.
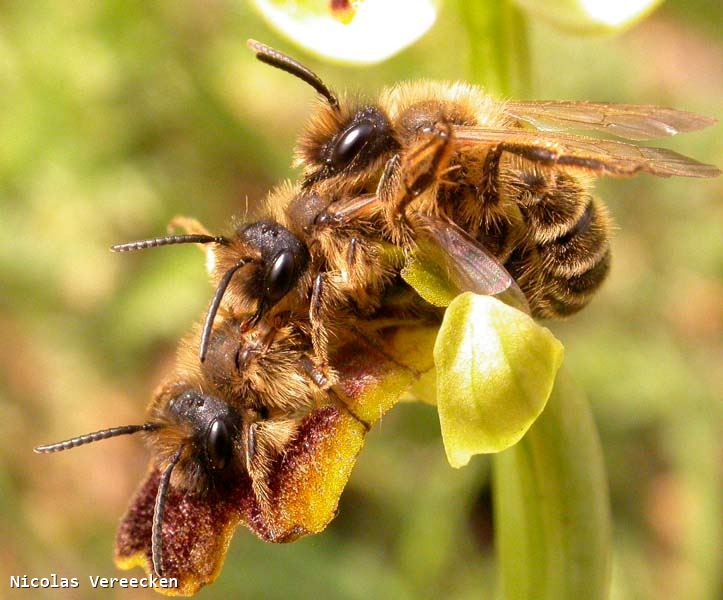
[(606, 157)]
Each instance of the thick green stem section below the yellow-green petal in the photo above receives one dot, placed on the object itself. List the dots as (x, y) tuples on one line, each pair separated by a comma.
[(552, 514)]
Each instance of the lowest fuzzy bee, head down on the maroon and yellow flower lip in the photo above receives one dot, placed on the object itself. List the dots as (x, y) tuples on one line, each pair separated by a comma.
[(225, 423)]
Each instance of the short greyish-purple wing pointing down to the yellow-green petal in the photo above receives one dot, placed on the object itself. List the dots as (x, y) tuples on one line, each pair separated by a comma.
[(470, 267)]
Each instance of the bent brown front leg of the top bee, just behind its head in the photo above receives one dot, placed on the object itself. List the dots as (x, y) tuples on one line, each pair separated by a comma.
[(405, 178)]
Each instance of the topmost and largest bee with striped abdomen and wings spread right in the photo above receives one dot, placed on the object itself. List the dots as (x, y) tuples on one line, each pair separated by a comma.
[(498, 187)]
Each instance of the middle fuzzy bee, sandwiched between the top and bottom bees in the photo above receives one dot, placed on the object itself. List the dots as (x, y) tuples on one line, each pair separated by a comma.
[(303, 262)]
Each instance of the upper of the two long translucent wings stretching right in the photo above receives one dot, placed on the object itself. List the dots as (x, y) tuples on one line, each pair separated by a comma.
[(629, 121)]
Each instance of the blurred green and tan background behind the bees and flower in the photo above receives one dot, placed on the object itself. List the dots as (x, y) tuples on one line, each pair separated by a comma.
[(117, 115)]
